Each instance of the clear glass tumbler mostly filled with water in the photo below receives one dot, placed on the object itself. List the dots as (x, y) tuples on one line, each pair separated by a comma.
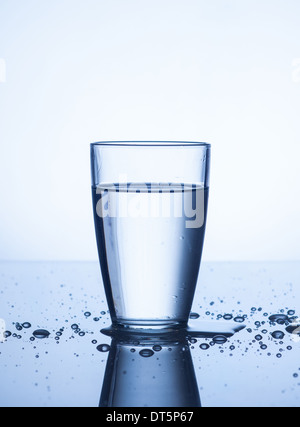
[(150, 204)]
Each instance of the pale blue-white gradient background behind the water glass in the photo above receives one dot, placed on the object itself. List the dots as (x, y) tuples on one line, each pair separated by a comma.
[(220, 71)]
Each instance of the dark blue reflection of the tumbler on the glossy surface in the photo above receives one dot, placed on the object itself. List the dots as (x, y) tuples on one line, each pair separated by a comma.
[(154, 373)]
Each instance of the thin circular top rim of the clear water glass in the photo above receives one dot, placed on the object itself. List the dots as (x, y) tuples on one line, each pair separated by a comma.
[(151, 144)]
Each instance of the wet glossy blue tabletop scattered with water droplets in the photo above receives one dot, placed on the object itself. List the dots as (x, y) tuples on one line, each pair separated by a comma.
[(53, 353)]
